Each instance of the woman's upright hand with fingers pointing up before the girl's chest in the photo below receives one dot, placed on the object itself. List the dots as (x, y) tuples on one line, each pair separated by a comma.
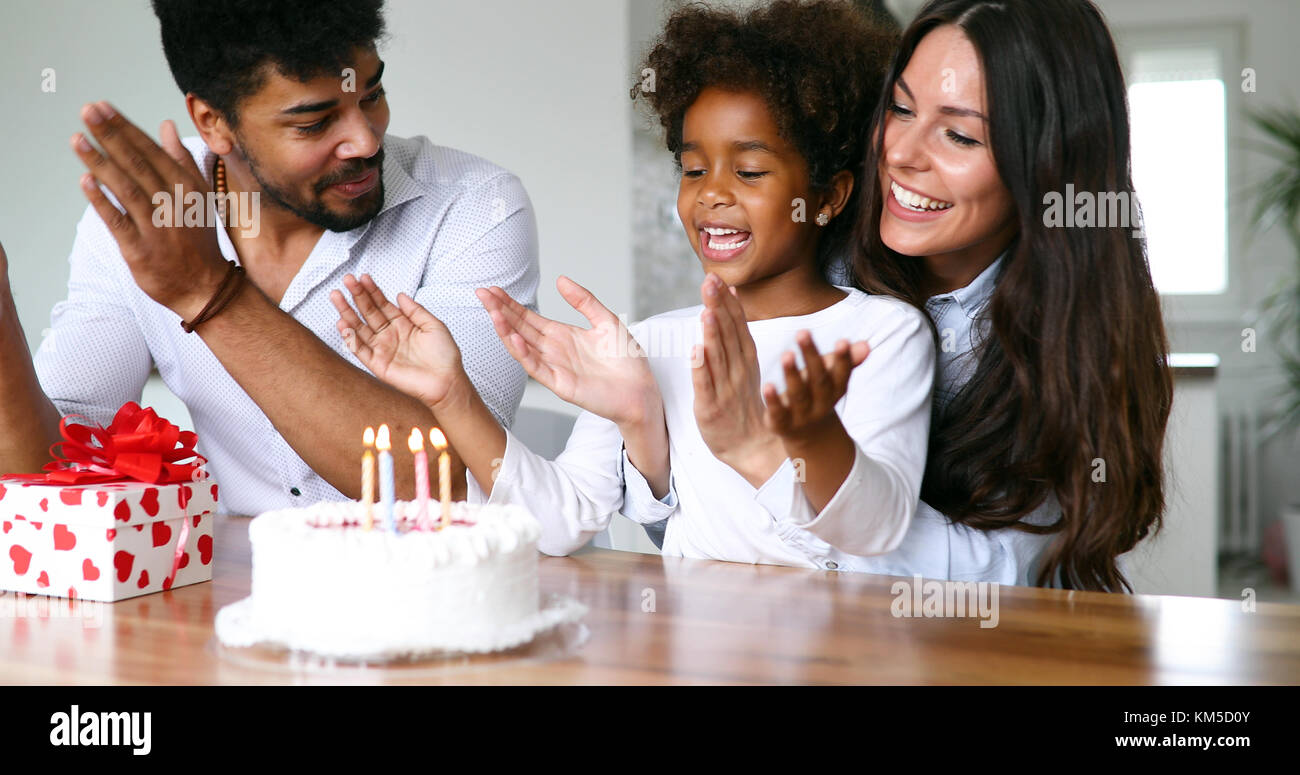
[(729, 406)]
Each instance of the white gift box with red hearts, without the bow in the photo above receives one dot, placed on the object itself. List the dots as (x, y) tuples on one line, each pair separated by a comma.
[(105, 542)]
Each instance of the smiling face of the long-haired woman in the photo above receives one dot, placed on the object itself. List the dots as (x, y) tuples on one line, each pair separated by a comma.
[(941, 185)]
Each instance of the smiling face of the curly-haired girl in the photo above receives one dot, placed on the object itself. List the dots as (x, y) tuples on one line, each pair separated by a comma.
[(739, 183)]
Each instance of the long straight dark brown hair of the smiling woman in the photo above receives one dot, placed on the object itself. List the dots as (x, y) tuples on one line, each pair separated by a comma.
[(1072, 392)]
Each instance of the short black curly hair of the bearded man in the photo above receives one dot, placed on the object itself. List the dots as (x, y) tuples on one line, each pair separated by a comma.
[(219, 50)]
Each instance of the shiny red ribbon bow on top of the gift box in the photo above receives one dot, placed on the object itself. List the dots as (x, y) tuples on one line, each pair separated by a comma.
[(137, 445)]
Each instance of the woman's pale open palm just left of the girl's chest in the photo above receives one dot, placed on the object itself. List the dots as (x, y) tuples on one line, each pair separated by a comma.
[(601, 370)]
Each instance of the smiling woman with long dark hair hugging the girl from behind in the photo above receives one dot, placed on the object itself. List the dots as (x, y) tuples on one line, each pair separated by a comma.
[(1054, 396)]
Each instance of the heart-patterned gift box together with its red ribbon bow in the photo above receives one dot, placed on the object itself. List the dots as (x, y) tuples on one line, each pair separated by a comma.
[(118, 514)]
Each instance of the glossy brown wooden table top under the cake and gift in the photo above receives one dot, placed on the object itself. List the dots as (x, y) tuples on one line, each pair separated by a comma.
[(712, 624)]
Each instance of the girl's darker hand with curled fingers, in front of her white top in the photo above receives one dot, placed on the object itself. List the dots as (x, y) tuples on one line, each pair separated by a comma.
[(808, 406)]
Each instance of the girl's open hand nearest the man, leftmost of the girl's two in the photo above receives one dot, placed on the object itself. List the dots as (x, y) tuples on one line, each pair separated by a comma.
[(404, 344)]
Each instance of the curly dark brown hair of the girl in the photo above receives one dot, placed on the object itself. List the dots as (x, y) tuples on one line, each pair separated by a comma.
[(820, 66)]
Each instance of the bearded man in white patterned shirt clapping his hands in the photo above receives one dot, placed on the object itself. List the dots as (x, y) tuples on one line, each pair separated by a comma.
[(291, 109)]
